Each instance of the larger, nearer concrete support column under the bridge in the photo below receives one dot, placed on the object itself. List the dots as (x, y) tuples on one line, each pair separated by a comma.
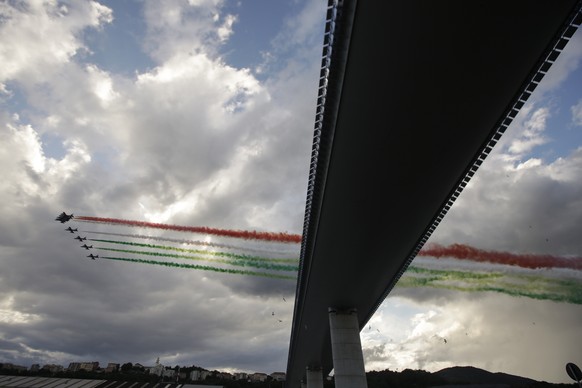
[(346, 349)]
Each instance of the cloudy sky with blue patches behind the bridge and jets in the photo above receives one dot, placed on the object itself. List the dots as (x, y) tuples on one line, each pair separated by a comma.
[(200, 114)]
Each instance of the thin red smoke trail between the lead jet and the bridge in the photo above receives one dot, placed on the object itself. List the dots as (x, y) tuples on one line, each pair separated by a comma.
[(244, 234)]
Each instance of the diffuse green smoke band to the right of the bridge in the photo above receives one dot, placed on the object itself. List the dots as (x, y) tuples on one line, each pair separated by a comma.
[(535, 287)]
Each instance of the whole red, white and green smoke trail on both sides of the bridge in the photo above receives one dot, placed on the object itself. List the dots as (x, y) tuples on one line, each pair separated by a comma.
[(455, 267)]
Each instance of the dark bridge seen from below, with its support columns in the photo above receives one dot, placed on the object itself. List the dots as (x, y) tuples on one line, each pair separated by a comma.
[(413, 96)]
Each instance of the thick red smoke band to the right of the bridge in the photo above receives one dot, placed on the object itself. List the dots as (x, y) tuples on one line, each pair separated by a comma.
[(465, 252)]
